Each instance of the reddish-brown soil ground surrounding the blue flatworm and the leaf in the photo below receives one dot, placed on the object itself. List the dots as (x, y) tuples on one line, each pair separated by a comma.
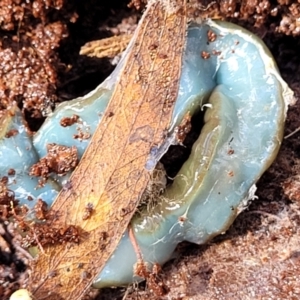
[(40, 66)]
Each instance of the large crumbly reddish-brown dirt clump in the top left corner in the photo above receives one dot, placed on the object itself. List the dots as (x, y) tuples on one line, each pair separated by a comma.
[(28, 58)]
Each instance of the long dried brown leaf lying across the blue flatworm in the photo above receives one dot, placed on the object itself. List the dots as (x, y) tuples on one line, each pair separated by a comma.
[(111, 176)]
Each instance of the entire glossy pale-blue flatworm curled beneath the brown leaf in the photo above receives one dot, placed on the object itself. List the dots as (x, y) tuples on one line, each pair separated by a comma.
[(234, 78)]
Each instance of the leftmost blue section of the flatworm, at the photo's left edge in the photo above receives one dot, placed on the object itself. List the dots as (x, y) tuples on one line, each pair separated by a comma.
[(18, 154)]
